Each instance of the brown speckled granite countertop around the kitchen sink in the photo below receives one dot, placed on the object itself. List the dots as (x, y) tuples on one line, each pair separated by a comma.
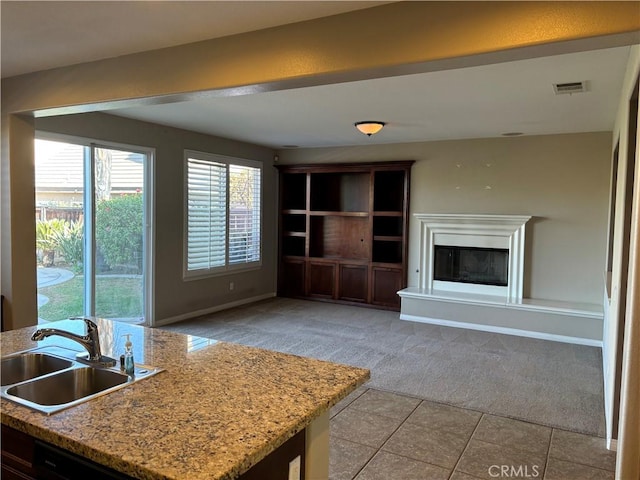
[(216, 410)]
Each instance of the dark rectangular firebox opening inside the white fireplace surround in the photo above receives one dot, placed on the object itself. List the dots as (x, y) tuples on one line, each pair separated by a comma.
[(485, 266)]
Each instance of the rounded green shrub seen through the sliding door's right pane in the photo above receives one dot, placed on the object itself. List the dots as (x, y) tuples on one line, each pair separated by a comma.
[(119, 231)]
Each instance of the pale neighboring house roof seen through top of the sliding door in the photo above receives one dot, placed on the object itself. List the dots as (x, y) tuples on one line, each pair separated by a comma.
[(63, 170)]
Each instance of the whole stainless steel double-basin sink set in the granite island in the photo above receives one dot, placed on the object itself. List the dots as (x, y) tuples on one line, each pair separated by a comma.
[(50, 379)]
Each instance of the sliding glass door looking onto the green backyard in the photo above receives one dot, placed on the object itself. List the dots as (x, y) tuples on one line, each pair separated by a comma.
[(92, 215)]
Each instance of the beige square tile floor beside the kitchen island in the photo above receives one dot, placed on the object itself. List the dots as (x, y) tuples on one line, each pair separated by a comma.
[(377, 435)]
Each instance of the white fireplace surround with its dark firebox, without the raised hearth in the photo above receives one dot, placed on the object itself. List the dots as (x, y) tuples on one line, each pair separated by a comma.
[(473, 254)]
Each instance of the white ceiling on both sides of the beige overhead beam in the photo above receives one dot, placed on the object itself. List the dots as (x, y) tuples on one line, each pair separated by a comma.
[(474, 102)]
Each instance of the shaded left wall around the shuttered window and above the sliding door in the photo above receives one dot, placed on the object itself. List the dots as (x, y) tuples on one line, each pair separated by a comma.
[(173, 296)]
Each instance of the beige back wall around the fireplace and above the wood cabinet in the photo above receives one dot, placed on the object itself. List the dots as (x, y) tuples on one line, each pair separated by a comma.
[(560, 180)]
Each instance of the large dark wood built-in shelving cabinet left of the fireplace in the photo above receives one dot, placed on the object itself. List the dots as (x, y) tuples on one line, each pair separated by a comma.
[(343, 232)]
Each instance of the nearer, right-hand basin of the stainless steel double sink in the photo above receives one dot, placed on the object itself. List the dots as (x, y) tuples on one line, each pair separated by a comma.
[(68, 386)]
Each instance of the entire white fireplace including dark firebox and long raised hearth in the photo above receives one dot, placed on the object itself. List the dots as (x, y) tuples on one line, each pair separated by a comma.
[(455, 251)]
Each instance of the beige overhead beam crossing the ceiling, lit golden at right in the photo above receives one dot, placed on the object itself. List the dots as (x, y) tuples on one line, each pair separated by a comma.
[(417, 37)]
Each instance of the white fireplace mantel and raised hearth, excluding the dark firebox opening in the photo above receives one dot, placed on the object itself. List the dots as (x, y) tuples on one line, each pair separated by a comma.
[(469, 306)]
